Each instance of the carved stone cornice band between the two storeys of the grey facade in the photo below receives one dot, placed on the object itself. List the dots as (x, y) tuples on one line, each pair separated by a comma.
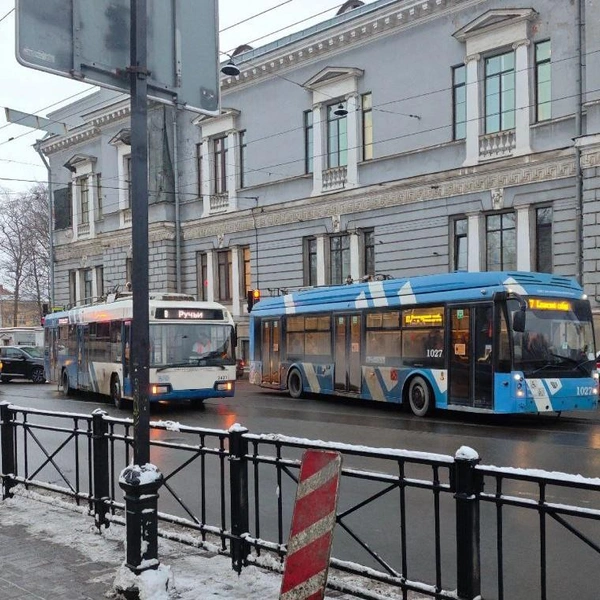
[(459, 182)]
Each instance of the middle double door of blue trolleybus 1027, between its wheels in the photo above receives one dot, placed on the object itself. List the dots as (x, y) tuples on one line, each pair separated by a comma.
[(347, 366)]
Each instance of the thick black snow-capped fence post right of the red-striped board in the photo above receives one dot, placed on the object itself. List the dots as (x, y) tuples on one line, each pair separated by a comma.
[(468, 484)]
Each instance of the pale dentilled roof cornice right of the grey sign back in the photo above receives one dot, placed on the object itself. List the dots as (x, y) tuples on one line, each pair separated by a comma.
[(390, 19)]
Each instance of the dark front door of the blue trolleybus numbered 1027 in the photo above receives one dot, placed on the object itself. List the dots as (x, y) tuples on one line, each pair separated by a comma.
[(471, 356)]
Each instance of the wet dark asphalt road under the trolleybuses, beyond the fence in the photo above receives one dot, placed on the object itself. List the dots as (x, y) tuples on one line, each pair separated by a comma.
[(569, 443)]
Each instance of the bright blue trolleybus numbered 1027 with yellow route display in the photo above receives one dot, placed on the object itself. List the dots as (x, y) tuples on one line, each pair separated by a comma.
[(494, 342)]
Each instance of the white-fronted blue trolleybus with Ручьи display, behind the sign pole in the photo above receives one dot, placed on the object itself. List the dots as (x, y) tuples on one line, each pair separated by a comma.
[(192, 349)]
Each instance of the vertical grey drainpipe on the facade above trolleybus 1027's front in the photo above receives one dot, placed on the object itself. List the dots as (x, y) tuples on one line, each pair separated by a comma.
[(578, 134)]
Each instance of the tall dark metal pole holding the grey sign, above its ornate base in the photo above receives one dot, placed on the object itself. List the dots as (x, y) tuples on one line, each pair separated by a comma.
[(139, 234)]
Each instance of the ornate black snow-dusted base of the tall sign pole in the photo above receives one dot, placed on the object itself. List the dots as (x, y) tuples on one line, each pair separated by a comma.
[(140, 485)]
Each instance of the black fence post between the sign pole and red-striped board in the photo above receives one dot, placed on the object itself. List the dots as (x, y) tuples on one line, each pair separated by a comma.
[(238, 485)]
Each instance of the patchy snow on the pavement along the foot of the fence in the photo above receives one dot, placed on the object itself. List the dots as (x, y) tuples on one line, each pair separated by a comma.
[(196, 573)]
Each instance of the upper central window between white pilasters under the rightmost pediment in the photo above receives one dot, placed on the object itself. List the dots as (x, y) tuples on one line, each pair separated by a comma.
[(500, 92)]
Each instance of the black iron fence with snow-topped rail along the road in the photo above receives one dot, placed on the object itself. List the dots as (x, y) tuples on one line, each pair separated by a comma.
[(439, 526)]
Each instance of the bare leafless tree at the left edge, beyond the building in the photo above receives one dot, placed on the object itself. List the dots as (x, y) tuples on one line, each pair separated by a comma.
[(25, 245)]
